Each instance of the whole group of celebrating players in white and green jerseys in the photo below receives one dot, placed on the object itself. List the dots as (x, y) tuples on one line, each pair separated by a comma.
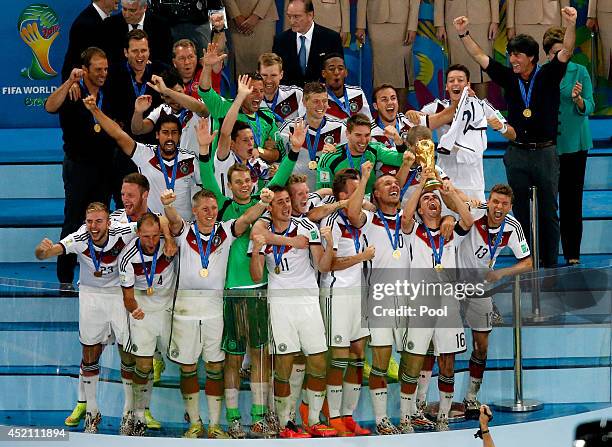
[(248, 229)]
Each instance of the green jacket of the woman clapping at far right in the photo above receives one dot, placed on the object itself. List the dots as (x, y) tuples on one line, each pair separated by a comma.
[(574, 131)]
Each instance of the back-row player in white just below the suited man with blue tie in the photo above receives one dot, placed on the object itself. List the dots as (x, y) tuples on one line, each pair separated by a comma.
[(344, 100)]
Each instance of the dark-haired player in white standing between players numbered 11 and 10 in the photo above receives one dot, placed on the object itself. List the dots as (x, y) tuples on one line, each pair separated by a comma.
[(341, 307)]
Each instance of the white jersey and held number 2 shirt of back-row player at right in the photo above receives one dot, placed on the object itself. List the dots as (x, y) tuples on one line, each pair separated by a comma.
[(463, 143)]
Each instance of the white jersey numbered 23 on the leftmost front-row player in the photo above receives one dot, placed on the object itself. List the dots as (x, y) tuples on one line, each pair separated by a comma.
[(79, 243)]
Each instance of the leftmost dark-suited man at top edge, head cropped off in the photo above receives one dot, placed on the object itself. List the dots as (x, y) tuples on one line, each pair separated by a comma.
[(85, 32)]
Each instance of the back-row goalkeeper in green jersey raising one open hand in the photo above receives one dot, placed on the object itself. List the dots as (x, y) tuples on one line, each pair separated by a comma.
[(261, 121)]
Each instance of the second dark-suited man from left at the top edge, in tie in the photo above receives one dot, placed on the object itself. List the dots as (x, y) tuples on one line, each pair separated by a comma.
[(134, 15)]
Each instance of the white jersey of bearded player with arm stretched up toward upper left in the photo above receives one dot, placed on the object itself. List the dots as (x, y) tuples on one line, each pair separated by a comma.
[(187, 180)]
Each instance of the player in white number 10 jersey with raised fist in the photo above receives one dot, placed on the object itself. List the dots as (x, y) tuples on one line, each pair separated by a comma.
[(385, 229)]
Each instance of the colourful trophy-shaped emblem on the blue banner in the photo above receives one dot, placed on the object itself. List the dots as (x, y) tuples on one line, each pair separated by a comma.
[(38, 26)]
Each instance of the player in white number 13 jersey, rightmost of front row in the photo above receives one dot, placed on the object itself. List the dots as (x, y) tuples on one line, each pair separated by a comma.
[(493, 230)]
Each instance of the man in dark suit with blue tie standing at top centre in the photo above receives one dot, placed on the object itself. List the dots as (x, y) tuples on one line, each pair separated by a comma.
[(305, 45)]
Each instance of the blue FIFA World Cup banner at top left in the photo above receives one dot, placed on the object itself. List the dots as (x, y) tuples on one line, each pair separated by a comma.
[(34, 36)]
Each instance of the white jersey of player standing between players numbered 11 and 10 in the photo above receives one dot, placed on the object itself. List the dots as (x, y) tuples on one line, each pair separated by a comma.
[(348, 241)]
